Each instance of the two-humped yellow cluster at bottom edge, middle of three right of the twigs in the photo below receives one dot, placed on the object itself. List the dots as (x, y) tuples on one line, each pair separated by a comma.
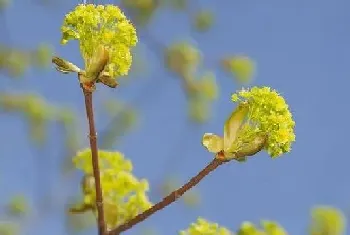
[(269, 228)]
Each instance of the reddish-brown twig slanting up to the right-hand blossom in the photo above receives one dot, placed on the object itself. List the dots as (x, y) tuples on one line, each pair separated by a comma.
[(172, 197)]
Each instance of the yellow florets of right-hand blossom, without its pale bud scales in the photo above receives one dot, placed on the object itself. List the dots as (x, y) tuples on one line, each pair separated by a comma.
[(268, 115)]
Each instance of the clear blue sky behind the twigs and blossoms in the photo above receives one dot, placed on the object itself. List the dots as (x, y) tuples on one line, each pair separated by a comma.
[(301, 48)]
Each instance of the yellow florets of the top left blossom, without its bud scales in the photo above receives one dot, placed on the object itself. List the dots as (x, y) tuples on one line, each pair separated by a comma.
[(98, 25)]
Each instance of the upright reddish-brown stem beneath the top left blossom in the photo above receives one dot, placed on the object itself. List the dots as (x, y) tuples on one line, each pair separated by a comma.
[(95, 166)]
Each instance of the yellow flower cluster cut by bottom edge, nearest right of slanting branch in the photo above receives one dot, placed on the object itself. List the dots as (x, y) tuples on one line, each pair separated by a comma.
[(204, 227)]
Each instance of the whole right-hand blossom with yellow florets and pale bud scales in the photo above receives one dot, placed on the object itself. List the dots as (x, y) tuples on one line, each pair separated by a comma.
[(262, 120)]
